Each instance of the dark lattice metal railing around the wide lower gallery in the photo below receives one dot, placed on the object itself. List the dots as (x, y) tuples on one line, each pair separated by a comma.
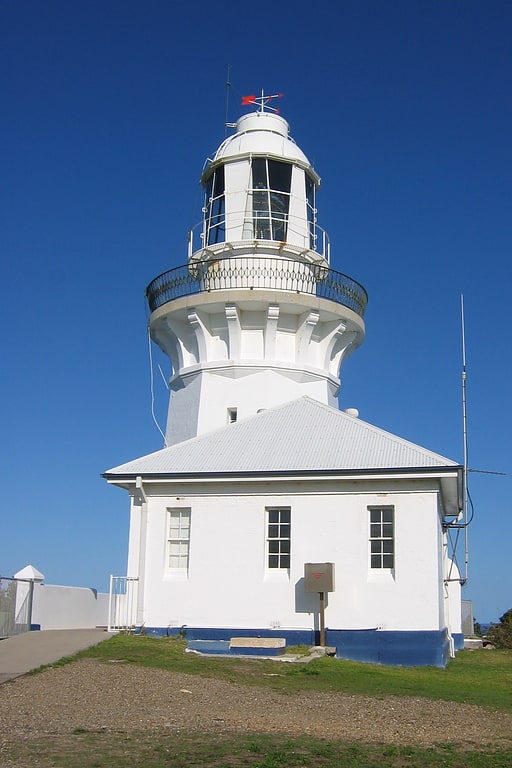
[(257, 272)]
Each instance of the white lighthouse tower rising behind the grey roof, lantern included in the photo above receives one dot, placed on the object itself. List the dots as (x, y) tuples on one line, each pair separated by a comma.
[(256, 317)]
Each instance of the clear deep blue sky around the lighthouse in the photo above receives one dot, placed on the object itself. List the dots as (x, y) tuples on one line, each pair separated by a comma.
[(108, 111)]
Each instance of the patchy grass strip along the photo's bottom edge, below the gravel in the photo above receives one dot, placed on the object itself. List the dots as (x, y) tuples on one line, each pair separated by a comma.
[(156, 750)]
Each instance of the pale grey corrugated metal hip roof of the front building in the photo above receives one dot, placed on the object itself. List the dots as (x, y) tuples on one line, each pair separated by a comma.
[(300, 436)]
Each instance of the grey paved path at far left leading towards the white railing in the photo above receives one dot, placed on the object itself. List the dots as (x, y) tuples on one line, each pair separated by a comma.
[(22, 653)]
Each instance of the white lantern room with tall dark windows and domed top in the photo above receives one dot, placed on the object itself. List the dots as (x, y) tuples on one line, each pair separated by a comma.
[(260, 186)]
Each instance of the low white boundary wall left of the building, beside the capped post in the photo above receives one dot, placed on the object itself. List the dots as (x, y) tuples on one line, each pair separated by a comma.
[(56, 607)]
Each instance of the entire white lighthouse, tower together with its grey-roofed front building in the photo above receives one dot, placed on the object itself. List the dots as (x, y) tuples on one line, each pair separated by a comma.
[(263, 473)]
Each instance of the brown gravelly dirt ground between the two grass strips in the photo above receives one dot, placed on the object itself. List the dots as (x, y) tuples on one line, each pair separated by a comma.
[(119, 697)]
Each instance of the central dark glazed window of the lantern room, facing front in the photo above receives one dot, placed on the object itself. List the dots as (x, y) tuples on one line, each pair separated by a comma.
[(271, 183)]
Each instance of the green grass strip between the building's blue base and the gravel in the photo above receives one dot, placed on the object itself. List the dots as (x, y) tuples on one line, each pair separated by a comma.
[(483, 678)]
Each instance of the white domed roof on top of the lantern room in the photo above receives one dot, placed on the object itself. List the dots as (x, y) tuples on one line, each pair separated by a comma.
[(261, 133)]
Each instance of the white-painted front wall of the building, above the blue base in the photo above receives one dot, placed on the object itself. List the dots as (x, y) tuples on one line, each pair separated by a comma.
[(228, 584)]
